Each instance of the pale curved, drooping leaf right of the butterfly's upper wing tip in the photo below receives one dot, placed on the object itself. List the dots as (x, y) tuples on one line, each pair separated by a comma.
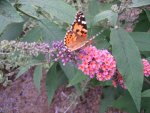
[(108, 14)]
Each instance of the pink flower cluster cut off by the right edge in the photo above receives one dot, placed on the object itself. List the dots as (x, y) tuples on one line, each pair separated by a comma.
[(146, 65)]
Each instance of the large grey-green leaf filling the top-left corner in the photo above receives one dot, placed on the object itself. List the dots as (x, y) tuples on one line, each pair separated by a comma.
[(8, 15)]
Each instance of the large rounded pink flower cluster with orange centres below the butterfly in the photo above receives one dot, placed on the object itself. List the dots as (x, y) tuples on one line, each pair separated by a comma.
[(97, 62)]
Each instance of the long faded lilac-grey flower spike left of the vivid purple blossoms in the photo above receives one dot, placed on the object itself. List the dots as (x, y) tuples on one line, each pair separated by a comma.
[(33, 49)]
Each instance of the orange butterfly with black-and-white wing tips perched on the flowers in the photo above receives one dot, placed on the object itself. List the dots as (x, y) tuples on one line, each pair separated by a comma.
[(76, 36)]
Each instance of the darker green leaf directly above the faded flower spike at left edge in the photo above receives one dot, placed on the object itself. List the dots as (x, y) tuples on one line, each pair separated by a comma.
[(12, 31)]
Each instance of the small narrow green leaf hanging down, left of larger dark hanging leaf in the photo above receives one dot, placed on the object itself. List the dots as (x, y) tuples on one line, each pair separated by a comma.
[(37, 76)]
